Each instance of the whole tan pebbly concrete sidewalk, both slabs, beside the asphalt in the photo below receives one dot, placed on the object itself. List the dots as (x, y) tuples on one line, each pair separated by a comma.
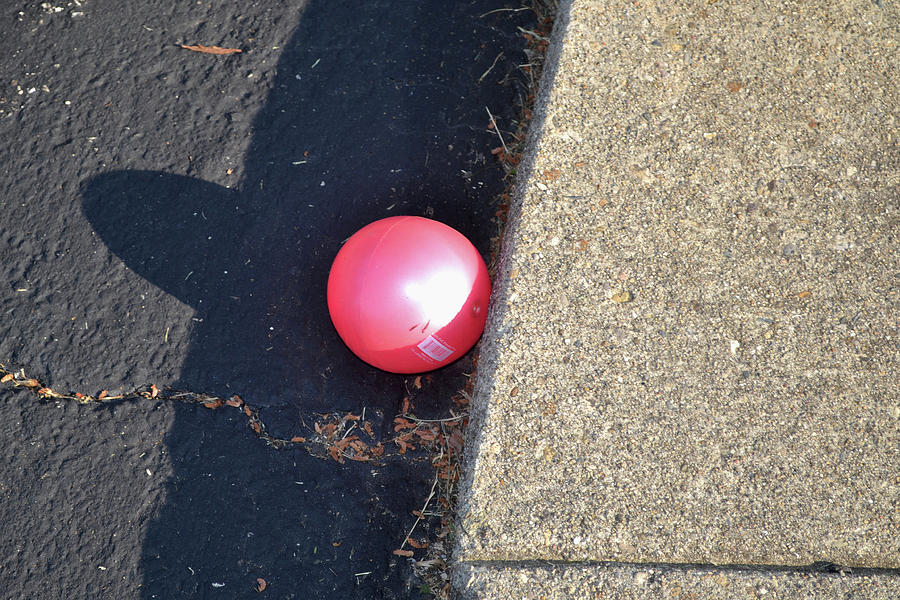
[(689, 382)]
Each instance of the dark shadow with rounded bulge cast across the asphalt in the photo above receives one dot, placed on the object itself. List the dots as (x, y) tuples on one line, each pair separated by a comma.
[(384, 124)]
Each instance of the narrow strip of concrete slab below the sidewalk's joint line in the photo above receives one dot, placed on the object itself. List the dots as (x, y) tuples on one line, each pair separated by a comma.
[(632, 582)]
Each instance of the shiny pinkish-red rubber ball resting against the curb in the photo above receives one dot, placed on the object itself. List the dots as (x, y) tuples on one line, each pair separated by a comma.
[(408, 294)]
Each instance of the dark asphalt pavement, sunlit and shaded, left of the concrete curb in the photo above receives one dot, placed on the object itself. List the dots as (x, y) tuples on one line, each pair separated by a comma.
[(169, 217)]
